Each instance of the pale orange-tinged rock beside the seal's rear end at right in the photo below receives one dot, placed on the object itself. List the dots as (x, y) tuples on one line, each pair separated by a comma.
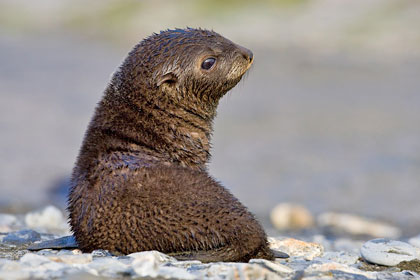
[(294, 247)]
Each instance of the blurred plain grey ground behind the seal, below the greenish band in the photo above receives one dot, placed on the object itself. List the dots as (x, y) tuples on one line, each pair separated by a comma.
[(335, 132)]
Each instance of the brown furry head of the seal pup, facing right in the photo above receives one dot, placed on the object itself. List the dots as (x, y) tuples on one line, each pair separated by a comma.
[(185, 63)]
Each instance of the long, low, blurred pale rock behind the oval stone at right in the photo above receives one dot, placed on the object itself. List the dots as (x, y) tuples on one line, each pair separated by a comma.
[(356, 225)]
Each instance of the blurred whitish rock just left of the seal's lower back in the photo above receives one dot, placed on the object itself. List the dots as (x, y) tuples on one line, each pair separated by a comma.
[(50, 219)]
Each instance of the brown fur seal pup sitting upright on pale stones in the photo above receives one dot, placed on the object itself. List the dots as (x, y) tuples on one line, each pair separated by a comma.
[(140, 182)]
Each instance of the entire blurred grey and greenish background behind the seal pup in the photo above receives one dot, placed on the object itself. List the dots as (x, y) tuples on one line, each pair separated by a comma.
[(328, 117)]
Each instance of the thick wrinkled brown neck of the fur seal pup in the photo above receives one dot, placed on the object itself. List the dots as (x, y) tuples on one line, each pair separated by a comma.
[(151, 127)]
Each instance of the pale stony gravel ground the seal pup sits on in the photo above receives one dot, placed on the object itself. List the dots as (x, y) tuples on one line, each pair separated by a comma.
[(314, 257)]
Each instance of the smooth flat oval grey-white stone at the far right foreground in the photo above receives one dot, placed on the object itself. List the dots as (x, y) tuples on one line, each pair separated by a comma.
[(387, 252)]
